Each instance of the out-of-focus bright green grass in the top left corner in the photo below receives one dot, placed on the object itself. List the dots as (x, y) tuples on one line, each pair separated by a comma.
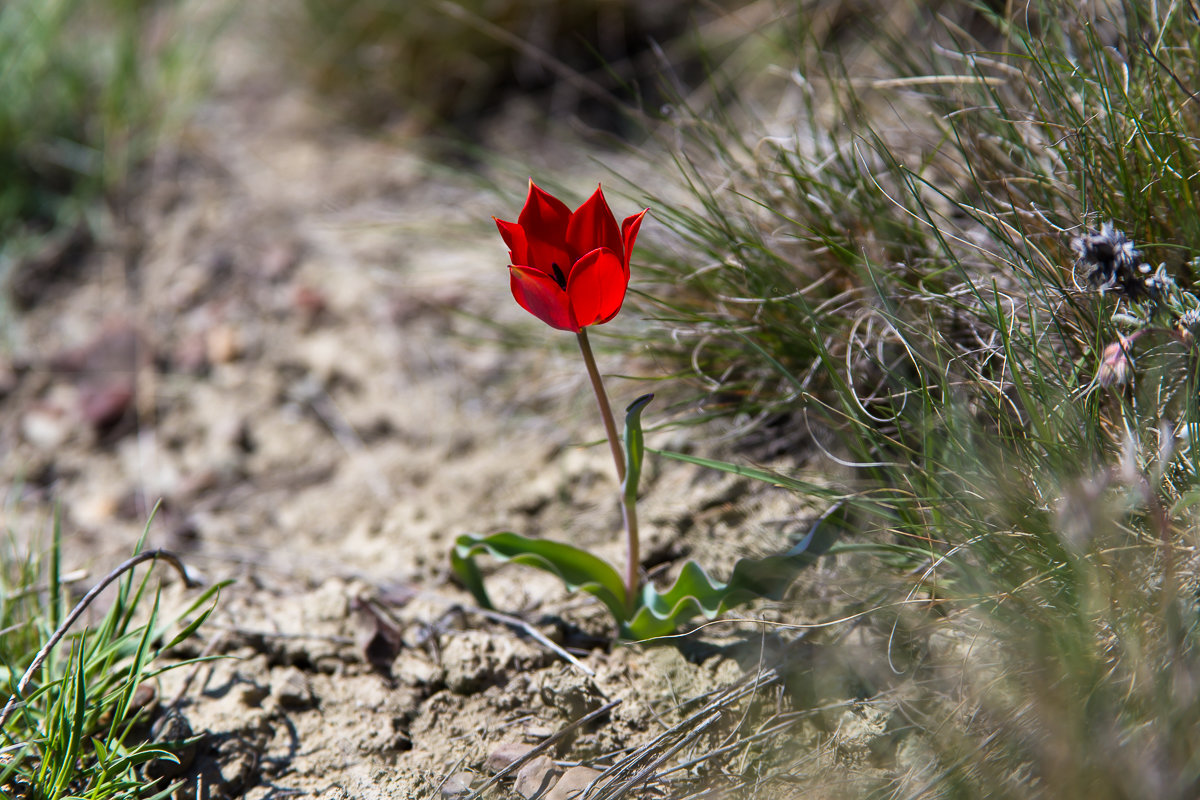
[(88, 88)]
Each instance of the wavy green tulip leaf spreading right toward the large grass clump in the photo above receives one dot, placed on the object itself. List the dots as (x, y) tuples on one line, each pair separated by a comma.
[(694, 593)]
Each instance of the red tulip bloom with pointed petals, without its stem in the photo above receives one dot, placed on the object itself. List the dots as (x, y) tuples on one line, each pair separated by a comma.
[(569, 269)]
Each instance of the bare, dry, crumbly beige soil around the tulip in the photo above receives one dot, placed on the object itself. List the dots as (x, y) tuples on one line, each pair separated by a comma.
[(296, 342)]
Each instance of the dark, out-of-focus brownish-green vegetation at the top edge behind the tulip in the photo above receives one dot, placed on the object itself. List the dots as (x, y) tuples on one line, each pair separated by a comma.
[(435, 63)]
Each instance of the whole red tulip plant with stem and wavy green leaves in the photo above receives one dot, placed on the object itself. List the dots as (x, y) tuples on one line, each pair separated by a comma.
[(571, 270)]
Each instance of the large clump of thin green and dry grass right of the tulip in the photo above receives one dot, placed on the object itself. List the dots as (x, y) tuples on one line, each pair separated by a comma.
[(884, 262)]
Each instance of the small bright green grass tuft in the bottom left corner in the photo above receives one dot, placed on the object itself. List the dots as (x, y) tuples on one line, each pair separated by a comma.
[(76, 729)]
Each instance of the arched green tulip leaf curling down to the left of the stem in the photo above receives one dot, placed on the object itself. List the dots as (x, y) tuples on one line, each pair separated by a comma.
[(575, 568)]
